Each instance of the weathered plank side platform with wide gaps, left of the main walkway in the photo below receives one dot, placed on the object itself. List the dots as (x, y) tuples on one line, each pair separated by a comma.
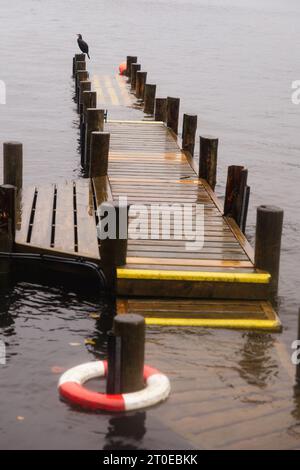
[(61, 218)]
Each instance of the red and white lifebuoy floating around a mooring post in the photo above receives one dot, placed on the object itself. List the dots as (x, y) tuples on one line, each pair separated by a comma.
[(71, 388)]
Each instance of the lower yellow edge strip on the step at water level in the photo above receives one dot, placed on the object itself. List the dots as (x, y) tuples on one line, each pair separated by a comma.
[(270, 325)]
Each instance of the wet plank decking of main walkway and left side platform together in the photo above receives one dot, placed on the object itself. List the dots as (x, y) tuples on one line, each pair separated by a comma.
[(147, 166)]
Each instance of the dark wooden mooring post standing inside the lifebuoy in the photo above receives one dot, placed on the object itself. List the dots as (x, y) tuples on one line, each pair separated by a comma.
[(127, 366)]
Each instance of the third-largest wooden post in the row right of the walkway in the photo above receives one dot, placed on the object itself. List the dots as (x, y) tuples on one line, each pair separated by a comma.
[(208, 160)]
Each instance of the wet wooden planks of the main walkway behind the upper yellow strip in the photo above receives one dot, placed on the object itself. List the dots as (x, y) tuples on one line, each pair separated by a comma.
[(147, 166)]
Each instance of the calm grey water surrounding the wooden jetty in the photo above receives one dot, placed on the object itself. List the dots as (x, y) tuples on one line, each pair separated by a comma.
[(230, 61)]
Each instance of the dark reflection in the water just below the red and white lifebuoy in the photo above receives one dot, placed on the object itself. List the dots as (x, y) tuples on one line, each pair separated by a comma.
[(126, 432)]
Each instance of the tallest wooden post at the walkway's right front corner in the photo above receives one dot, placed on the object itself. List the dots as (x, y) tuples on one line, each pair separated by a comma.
[(269, 224)]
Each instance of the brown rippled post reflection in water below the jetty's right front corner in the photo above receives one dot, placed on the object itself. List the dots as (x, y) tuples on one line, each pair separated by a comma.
[(256, 363)]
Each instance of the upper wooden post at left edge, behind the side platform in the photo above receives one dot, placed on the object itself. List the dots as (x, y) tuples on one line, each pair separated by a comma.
[(13, 164)]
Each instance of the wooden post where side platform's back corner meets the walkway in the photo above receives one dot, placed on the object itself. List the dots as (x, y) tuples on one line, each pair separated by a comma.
[(99, 154)]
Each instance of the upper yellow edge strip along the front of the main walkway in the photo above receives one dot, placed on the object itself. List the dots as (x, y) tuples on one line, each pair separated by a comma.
[(257, 278)]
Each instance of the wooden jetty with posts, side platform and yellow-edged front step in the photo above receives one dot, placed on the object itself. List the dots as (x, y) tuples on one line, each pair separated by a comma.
[(147, 164)]
